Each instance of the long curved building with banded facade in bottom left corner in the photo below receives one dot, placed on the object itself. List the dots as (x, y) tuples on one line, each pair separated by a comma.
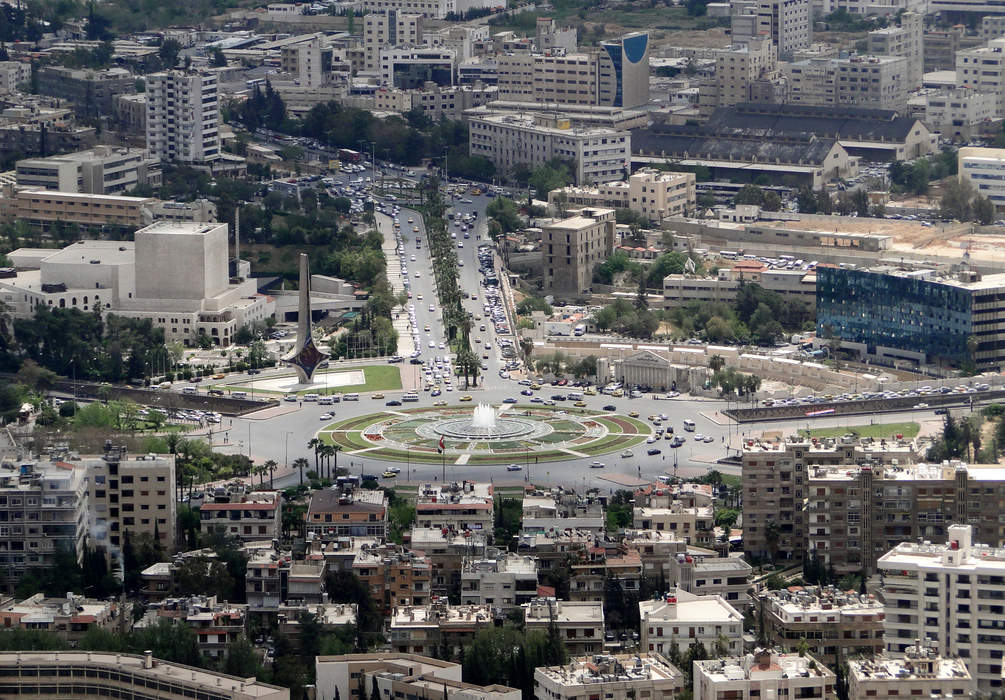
[(53, 675)]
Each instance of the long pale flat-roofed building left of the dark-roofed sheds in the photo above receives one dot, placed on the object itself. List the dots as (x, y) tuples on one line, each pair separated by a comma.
[(600, 155)]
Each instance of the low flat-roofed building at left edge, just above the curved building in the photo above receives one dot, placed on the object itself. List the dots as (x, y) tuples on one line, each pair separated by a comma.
[(69, 618)]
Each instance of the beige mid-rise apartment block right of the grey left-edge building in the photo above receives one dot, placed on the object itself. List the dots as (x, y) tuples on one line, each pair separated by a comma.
[(132, 496)]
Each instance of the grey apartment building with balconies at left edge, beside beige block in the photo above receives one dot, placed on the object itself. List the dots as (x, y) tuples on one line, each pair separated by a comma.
[(45, 511)]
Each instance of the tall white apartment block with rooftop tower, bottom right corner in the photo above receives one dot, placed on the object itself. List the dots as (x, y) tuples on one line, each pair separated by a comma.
[(951, 598)]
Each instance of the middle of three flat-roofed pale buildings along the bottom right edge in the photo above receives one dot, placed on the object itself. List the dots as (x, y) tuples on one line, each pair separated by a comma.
[(766, 673)]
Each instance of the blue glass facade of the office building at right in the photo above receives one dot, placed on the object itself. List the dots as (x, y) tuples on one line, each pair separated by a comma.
[(888, 311)]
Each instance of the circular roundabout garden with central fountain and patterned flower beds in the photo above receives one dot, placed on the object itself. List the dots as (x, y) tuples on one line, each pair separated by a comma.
[(485, 434)]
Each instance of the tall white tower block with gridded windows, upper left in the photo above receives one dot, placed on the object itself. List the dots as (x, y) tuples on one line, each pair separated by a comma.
[(183, 117)]
